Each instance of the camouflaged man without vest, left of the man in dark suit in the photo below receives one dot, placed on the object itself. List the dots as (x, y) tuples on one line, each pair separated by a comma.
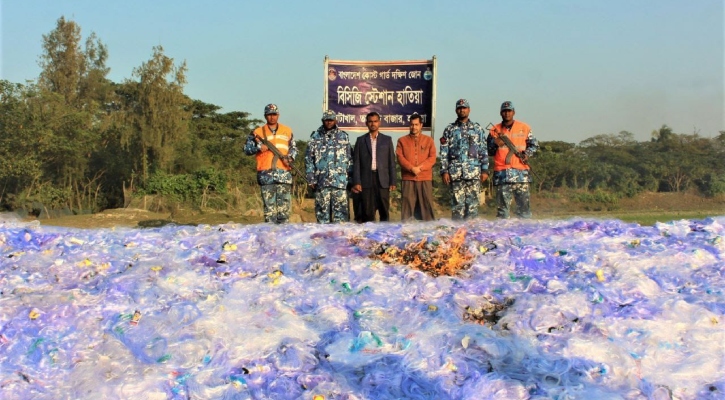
[(328, 164)]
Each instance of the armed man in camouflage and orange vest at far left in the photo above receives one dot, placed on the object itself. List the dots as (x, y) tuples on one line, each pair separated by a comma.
[(273, 172)]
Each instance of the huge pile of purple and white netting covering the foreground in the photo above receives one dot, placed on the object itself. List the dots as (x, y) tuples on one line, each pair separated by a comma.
[(602, 309)]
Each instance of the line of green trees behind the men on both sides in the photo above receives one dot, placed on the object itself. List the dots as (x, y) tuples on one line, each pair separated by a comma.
[(72, 139)]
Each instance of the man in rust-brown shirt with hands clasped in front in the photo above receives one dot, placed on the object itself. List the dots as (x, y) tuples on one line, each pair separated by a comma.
[(416, 155)]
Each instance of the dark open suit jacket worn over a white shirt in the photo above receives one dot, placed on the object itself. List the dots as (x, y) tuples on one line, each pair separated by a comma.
[(363, 157)]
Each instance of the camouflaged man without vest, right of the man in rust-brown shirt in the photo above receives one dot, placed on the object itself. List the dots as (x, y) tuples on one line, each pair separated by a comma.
[(464, 162)]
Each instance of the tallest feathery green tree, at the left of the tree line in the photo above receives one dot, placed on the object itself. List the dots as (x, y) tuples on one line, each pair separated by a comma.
[(69, 113)]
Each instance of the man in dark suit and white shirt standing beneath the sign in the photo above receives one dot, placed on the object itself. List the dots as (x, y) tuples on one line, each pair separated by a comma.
[(374, 170)]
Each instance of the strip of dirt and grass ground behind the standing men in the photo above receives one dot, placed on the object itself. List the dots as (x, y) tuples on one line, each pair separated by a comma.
[(665, 204)]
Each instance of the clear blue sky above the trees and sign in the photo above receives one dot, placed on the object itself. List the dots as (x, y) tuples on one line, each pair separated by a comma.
[(573, 68)]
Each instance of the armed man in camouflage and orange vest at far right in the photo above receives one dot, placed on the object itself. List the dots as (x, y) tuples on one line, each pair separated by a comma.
[(511, 168)]
